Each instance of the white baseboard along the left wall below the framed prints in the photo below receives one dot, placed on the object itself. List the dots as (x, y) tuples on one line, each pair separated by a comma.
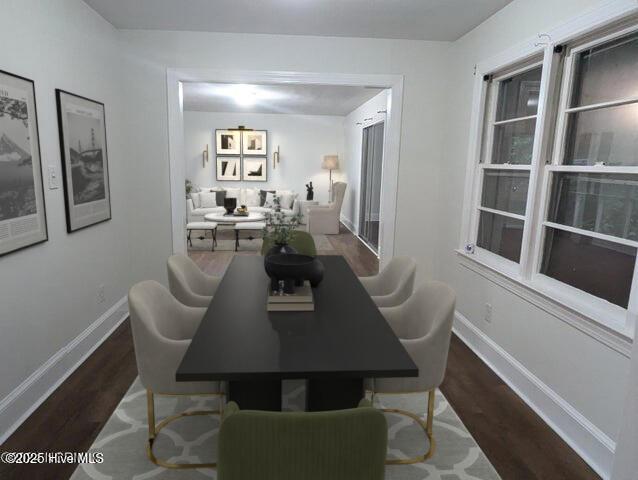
[(16, 407)]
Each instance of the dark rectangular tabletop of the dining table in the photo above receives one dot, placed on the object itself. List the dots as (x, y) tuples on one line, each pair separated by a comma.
[(345, 337)]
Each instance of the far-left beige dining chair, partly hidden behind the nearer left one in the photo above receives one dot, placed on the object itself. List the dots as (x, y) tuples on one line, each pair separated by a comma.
[(188, 283)]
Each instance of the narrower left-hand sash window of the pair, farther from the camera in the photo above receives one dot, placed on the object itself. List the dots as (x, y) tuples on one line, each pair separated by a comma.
[(509, 134)]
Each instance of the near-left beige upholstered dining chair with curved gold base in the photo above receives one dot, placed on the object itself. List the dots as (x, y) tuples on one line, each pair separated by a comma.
[(162, 331)]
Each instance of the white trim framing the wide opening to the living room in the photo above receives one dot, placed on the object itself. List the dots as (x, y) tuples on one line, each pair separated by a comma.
[(392, 149)]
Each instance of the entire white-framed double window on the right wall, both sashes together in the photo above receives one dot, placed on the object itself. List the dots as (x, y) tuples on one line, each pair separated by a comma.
[(555, 198)]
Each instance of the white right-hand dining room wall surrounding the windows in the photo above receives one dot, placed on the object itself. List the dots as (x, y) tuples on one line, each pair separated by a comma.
[(588, 375)]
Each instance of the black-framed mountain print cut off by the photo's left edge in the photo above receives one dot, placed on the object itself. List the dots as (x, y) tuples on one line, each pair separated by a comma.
[(22, 211)]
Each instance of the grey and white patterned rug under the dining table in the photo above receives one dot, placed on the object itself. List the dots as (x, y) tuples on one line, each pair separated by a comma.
[(194, 439)]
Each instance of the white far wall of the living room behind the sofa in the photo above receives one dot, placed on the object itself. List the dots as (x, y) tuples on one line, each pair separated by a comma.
[(303, 141)]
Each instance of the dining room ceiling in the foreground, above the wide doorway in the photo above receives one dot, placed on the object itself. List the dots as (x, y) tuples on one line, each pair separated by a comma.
[(444, 20)]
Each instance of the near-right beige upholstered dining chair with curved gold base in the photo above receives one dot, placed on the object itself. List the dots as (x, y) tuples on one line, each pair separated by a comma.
[(424, 326)]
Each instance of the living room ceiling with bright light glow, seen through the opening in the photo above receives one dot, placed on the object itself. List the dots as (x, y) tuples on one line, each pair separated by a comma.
[(288, 99)]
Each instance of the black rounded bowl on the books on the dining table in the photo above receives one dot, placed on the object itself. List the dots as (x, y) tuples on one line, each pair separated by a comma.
[(293, 269)]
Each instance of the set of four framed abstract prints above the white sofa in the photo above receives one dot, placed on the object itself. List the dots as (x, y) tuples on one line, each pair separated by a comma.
[(239, 153)]
